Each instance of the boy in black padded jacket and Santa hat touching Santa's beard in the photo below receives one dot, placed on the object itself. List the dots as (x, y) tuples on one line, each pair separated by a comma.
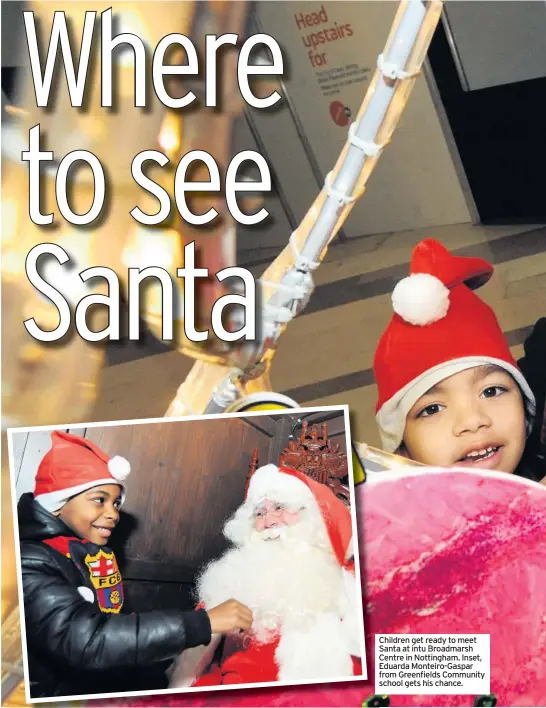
[(78, 641)]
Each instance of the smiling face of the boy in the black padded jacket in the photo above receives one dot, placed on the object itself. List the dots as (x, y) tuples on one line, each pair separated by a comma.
[(93, 514)]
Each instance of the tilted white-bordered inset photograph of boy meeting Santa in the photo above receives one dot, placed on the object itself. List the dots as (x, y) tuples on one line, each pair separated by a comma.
[(177, 555)]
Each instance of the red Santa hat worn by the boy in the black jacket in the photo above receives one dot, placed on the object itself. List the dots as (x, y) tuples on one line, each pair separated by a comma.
[(73, 465)]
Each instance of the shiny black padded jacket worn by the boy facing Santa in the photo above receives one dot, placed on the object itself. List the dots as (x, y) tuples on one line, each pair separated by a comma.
[(73, 647)]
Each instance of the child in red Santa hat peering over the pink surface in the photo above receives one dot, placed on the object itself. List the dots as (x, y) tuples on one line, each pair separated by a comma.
[(450, 392)]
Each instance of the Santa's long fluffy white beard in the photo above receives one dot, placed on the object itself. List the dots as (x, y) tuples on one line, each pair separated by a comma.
[(279, 575)]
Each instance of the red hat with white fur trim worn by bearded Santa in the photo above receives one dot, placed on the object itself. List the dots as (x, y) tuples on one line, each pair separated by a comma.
[(295, 490)]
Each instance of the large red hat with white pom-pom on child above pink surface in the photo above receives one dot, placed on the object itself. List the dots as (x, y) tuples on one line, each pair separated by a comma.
[(440, 327)]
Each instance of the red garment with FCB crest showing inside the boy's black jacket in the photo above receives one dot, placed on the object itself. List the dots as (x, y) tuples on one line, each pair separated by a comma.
[(97, 564)]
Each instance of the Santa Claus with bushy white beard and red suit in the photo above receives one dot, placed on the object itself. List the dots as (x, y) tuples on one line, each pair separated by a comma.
[(292, 565)]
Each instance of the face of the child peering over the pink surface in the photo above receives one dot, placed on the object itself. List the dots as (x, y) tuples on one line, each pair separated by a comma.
[(475, 418)]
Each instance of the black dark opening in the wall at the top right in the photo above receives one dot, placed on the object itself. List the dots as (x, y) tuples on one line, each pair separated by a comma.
[(500, 137)]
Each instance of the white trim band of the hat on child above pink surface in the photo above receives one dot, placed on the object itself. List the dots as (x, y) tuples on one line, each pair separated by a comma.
[(391, 418)]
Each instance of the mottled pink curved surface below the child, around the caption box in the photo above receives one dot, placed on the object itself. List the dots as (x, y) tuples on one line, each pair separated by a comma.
[(443, 552)]
